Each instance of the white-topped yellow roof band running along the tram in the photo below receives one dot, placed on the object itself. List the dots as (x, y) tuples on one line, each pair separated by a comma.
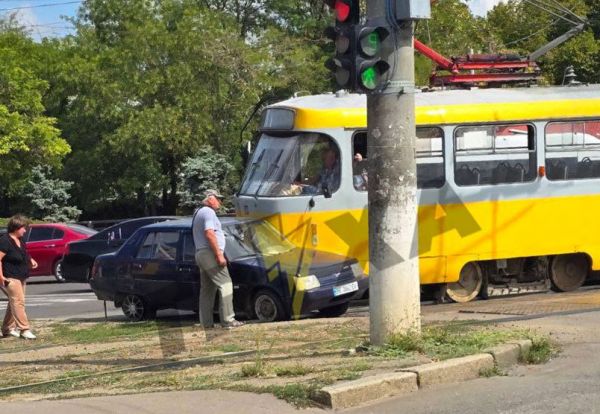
[(454, 106)]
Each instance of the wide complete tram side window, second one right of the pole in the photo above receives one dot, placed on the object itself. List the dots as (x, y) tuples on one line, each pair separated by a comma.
[(494, 154)]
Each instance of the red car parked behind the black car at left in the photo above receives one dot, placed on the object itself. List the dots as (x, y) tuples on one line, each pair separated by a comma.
[(46, 243)]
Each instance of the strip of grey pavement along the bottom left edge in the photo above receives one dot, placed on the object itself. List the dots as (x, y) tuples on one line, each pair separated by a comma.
[(184, 402)]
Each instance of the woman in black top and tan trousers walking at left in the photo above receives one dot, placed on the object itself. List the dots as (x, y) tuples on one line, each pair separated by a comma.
[(14, 271)]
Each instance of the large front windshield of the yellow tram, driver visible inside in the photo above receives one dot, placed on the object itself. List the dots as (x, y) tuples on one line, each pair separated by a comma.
[(302, 164)]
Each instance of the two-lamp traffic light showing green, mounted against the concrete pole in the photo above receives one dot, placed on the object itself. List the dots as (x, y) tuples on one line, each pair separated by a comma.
[(371, 67)]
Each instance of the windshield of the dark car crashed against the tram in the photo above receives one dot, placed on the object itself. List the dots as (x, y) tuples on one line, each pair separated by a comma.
[(254, 238)]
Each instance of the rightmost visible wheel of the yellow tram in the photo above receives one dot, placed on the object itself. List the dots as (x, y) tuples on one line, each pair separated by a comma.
[(568, 272)]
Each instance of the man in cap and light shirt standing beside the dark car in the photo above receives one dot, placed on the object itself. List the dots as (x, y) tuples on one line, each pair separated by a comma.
[(214, 276)]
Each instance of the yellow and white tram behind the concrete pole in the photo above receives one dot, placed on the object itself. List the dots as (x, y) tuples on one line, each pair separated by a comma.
[(508, 184)]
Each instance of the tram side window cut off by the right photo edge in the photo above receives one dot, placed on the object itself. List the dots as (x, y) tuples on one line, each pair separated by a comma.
[(573, 150)]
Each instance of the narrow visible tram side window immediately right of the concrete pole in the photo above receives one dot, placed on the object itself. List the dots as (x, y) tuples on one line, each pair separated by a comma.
[(430, 157)]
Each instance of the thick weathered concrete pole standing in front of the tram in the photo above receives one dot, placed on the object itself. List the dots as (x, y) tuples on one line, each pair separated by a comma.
[(394, 264)]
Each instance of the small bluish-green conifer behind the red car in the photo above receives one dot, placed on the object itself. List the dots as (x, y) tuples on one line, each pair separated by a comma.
[(49, 197)]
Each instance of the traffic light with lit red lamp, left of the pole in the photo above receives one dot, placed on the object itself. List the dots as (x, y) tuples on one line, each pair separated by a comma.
[(347, 17)]
